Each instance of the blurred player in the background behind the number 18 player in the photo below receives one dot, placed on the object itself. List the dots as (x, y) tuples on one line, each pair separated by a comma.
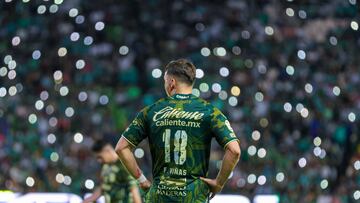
[(117, 184)]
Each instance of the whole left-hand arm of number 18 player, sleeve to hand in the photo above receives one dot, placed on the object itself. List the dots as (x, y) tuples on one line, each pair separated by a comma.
[(132, 136)]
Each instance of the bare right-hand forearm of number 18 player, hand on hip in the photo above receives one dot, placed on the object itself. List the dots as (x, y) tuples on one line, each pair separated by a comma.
[(231, 158)]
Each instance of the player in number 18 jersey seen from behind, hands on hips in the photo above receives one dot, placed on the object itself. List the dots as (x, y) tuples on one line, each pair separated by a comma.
[(180, 129)]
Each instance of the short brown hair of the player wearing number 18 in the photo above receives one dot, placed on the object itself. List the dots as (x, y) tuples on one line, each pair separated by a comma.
[(183, 70)]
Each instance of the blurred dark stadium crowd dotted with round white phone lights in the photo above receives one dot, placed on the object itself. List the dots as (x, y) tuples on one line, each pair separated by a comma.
[(285, 72)]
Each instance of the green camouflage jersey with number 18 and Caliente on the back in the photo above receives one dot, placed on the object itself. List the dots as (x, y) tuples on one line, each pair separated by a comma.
[(180, 129)]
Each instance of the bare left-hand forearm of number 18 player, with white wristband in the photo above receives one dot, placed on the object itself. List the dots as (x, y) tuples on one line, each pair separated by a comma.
[(124, 151)]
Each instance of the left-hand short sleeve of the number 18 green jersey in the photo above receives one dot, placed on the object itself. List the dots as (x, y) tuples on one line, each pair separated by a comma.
[(136, 131)]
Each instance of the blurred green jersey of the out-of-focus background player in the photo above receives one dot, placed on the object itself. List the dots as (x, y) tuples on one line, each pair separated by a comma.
[(116, 183)]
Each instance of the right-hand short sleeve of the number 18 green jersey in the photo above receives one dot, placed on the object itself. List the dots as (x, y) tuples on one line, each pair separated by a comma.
[(221, 128)]
